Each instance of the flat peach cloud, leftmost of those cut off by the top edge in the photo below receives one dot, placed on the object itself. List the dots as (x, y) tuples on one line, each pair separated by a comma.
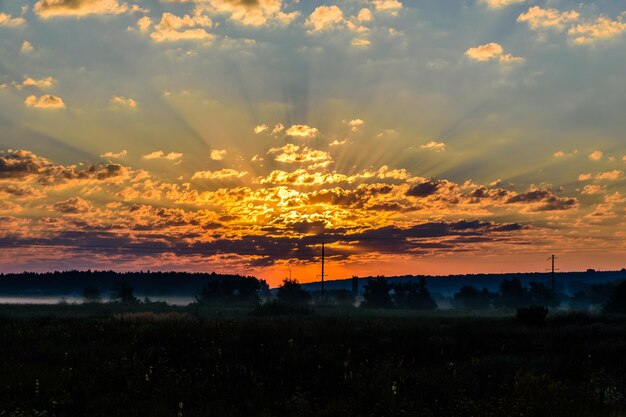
[(78, 8)]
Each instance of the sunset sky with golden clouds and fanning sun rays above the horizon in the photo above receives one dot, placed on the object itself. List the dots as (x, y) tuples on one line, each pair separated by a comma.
[(411, 137)]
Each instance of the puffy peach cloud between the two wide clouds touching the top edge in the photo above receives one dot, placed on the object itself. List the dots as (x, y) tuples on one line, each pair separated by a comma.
[(173, 28)]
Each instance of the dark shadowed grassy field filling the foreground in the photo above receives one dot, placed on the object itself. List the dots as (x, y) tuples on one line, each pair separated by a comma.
[(171, 361)]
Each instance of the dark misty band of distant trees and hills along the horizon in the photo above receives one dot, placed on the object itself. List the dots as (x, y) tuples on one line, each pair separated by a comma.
[(578, 290)]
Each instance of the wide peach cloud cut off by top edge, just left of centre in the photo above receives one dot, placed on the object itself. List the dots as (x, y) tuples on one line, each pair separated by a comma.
[(251, 12)]
